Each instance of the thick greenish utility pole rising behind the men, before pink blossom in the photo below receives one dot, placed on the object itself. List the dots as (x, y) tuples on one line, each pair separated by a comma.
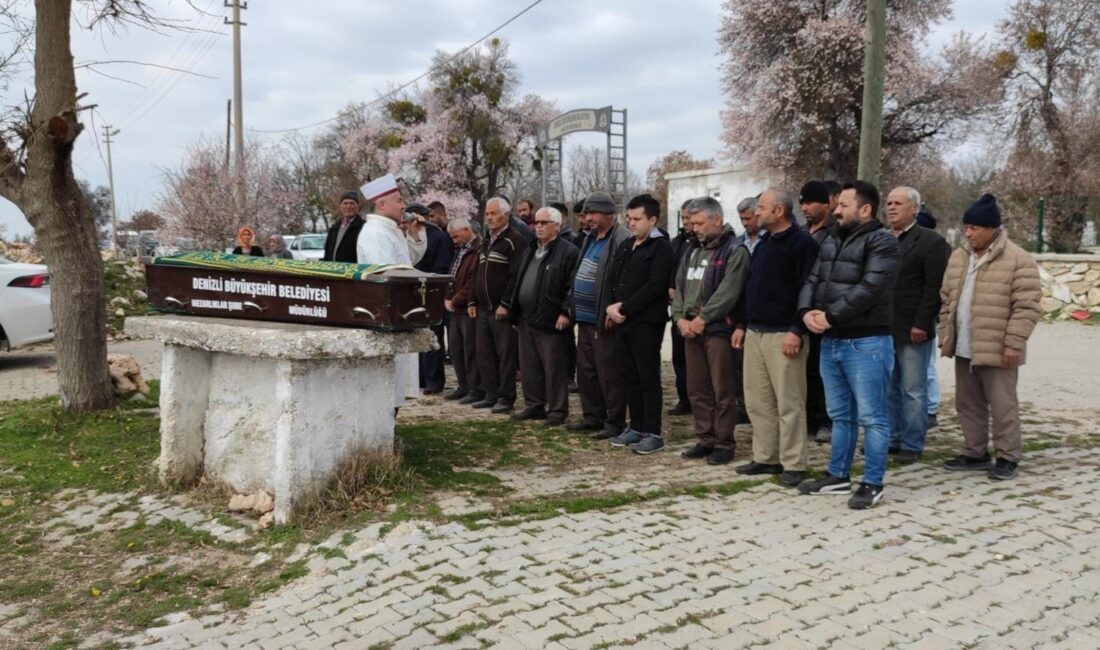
[(875, 58)]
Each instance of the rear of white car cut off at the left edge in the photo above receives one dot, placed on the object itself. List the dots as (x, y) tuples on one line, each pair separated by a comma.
[(25, 304)]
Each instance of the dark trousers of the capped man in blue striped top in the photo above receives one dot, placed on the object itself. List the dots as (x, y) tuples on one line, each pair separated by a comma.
[(598, 377)]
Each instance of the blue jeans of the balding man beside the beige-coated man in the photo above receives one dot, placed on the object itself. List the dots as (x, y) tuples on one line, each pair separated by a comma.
[(909, 394)]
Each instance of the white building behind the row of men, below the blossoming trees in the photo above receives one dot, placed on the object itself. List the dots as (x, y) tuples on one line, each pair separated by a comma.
[(730, 185)]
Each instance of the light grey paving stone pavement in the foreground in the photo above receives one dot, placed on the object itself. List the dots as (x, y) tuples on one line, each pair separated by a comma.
[(947, 561)]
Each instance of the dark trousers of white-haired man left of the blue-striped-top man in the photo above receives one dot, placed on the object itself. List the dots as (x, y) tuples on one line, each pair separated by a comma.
[(544, 371)]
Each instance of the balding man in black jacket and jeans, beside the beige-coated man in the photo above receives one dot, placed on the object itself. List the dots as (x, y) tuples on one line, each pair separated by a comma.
[(921, 266)]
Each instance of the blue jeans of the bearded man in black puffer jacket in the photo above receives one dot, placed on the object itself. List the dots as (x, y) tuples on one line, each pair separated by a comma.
[(856, 373)]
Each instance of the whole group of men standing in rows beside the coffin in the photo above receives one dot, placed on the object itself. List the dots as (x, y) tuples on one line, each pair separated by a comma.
[(812, 333)]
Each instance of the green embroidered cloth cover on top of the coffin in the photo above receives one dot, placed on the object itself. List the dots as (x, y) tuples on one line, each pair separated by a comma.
[(277, 267)]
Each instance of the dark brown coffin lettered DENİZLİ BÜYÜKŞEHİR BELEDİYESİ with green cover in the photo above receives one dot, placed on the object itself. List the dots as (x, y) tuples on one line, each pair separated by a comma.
[(386, 298)]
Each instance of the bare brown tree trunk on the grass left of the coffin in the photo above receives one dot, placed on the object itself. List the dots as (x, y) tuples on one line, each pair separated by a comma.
[(60, 214)]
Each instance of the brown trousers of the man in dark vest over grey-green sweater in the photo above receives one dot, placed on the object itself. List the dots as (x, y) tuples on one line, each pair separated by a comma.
[(712, 390)]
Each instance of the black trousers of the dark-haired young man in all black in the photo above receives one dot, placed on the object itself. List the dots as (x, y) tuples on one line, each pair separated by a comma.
[(639, 352)]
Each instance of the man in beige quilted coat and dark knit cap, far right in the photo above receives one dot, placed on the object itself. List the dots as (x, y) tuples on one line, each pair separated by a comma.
[(991, 306)]
